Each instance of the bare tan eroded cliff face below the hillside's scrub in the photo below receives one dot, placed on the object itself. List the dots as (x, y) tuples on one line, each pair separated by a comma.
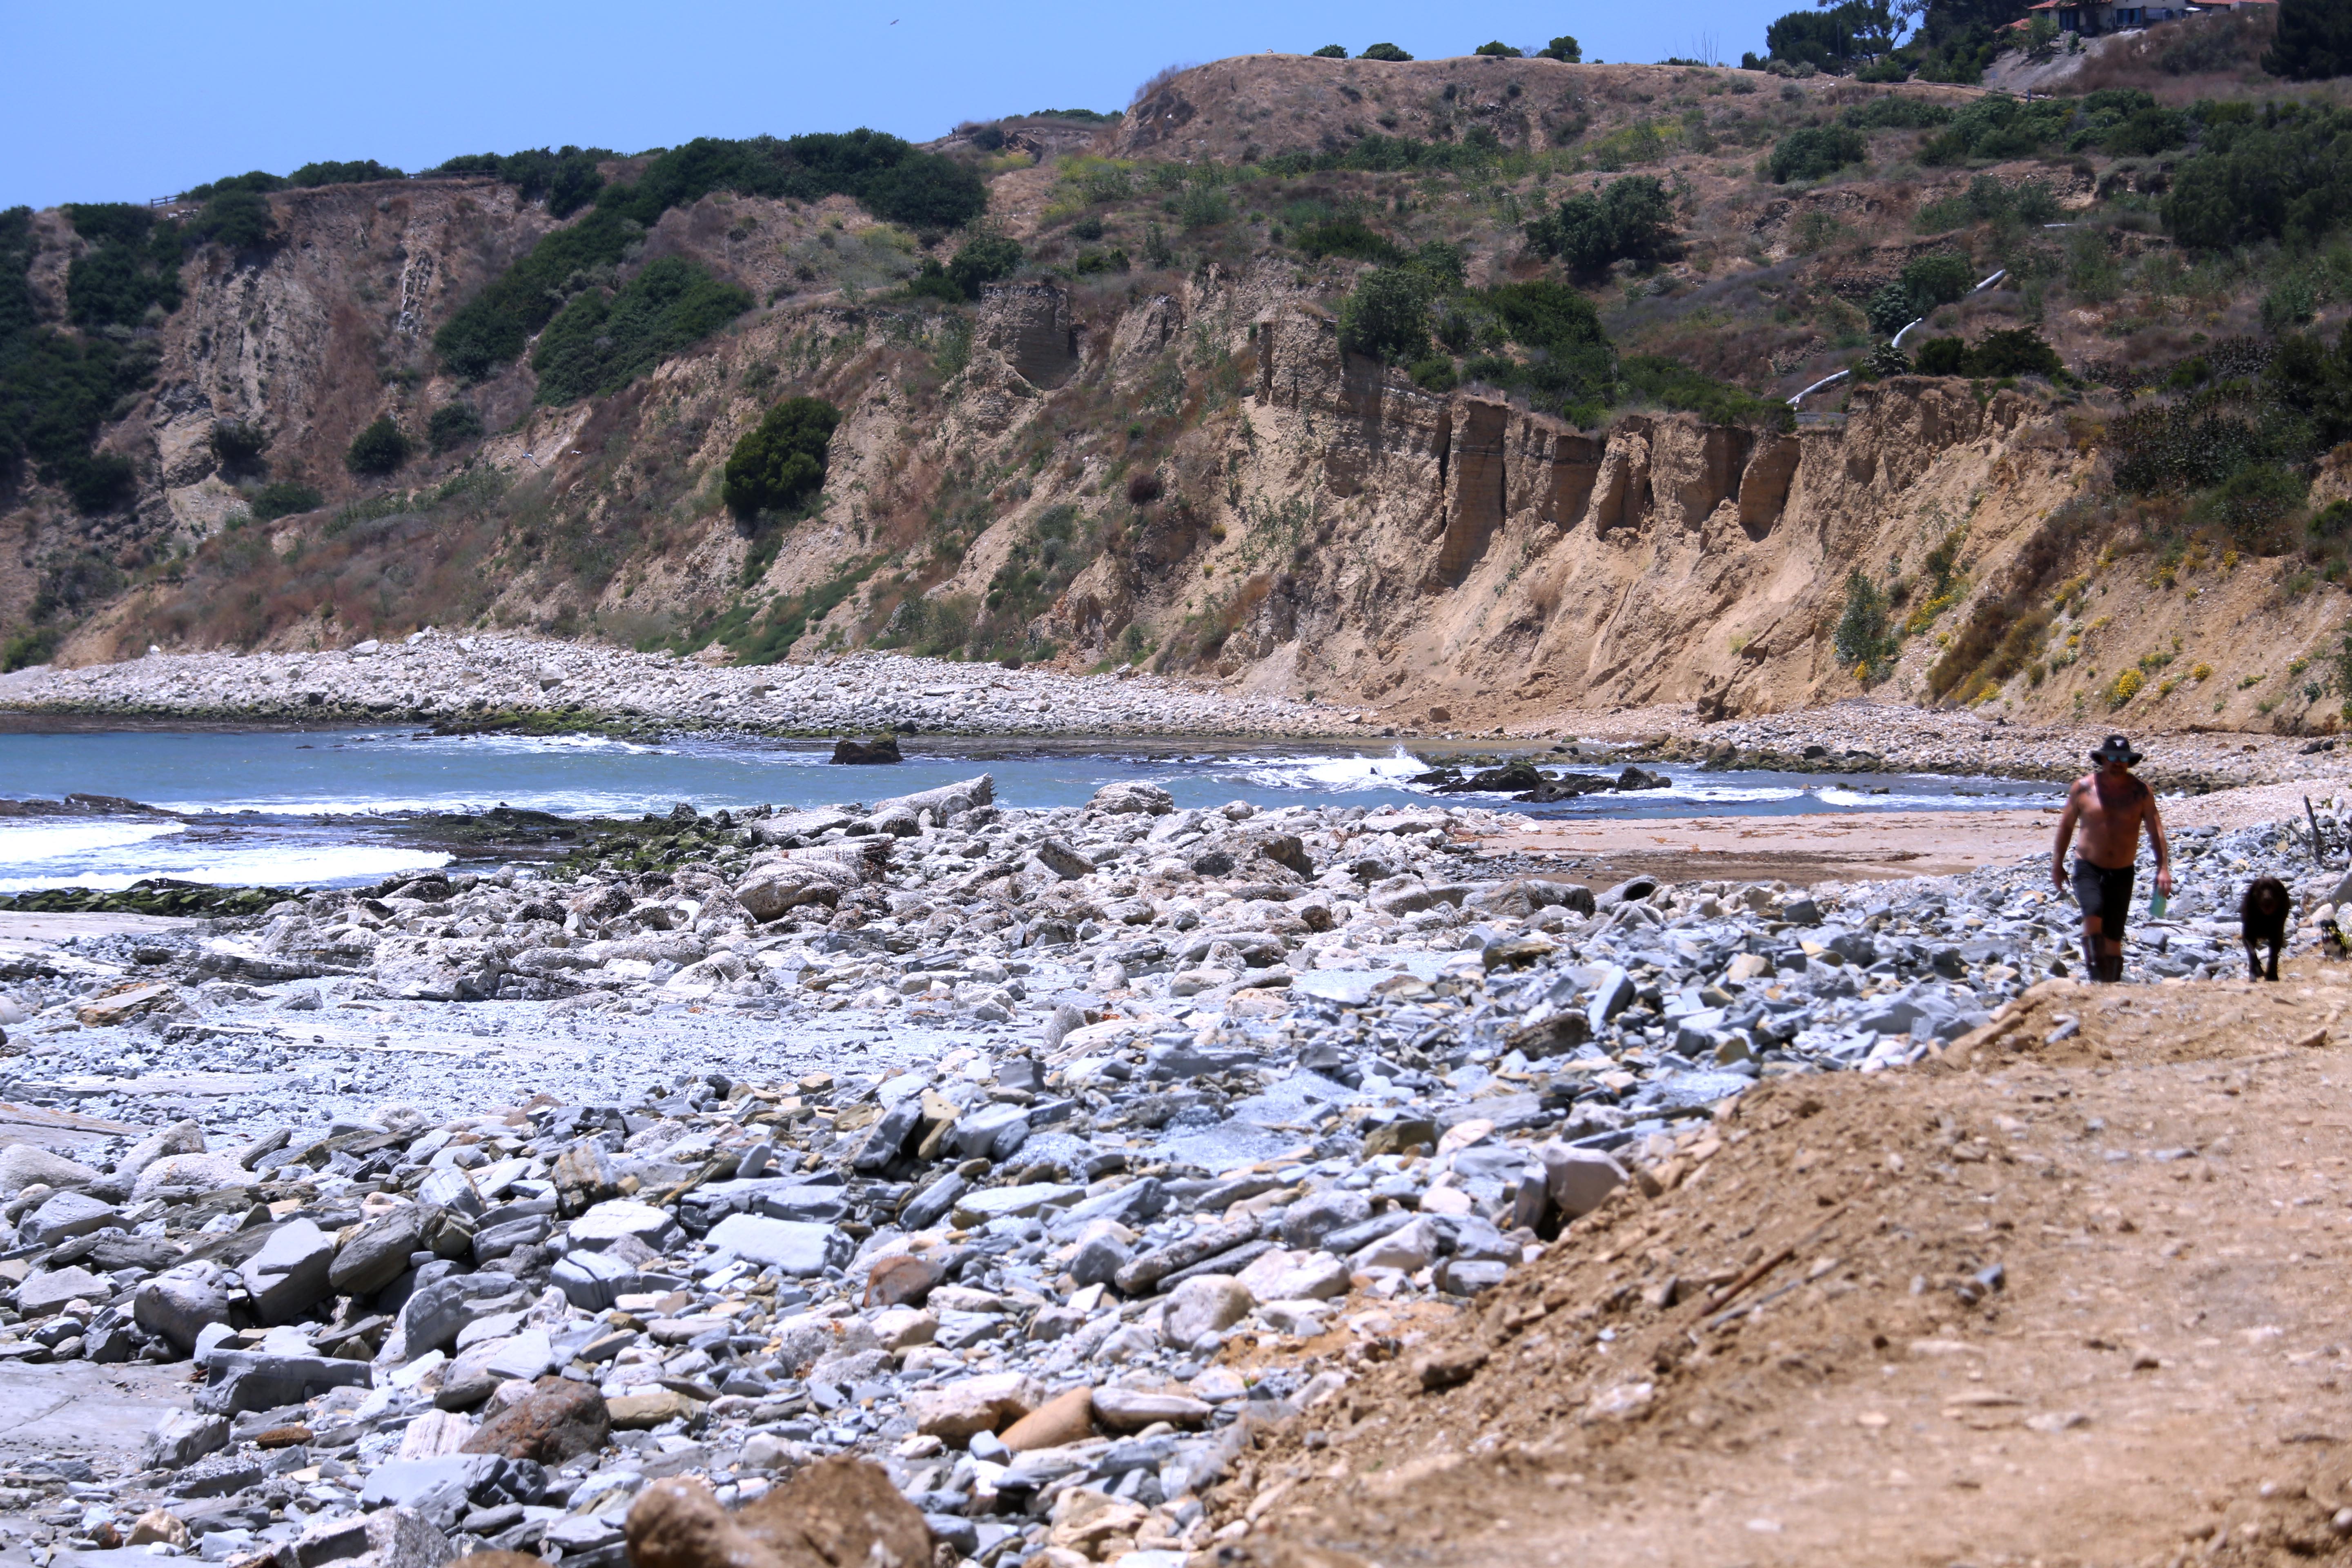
[(1314, 521)]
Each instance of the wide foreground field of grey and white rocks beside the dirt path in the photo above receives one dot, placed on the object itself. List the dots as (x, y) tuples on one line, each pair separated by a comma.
[(1034, 1158)]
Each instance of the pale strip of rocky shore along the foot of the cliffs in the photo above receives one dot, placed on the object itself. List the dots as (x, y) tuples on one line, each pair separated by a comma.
[(514, 685)]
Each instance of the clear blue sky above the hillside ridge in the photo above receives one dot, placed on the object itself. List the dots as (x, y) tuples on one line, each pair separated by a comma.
[(147, 100)]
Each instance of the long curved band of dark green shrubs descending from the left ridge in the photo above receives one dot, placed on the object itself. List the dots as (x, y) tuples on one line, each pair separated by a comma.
[(886, 175)]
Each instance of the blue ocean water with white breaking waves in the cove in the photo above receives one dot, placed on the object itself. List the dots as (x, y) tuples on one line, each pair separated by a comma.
[(340, 808)]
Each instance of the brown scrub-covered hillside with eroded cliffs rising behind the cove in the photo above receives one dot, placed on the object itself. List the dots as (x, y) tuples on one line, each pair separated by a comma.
[(1450, 387)]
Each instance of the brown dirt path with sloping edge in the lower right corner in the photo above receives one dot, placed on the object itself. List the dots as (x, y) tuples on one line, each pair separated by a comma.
[(2047, 1304)]
